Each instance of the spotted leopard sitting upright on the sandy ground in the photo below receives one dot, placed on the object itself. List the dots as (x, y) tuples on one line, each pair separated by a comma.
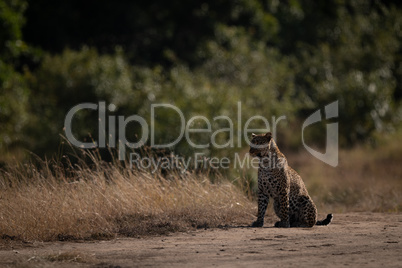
[(279, 182)]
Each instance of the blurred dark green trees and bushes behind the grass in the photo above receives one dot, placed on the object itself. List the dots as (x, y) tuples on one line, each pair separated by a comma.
[(276, 57)]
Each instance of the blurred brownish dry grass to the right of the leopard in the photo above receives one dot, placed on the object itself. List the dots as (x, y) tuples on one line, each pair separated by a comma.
[(367, 178)]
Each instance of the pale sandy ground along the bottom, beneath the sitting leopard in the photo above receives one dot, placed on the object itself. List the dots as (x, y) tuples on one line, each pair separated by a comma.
[(353, 239)]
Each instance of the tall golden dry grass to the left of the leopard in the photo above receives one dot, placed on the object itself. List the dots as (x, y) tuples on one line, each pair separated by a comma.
[(105, 200)]
